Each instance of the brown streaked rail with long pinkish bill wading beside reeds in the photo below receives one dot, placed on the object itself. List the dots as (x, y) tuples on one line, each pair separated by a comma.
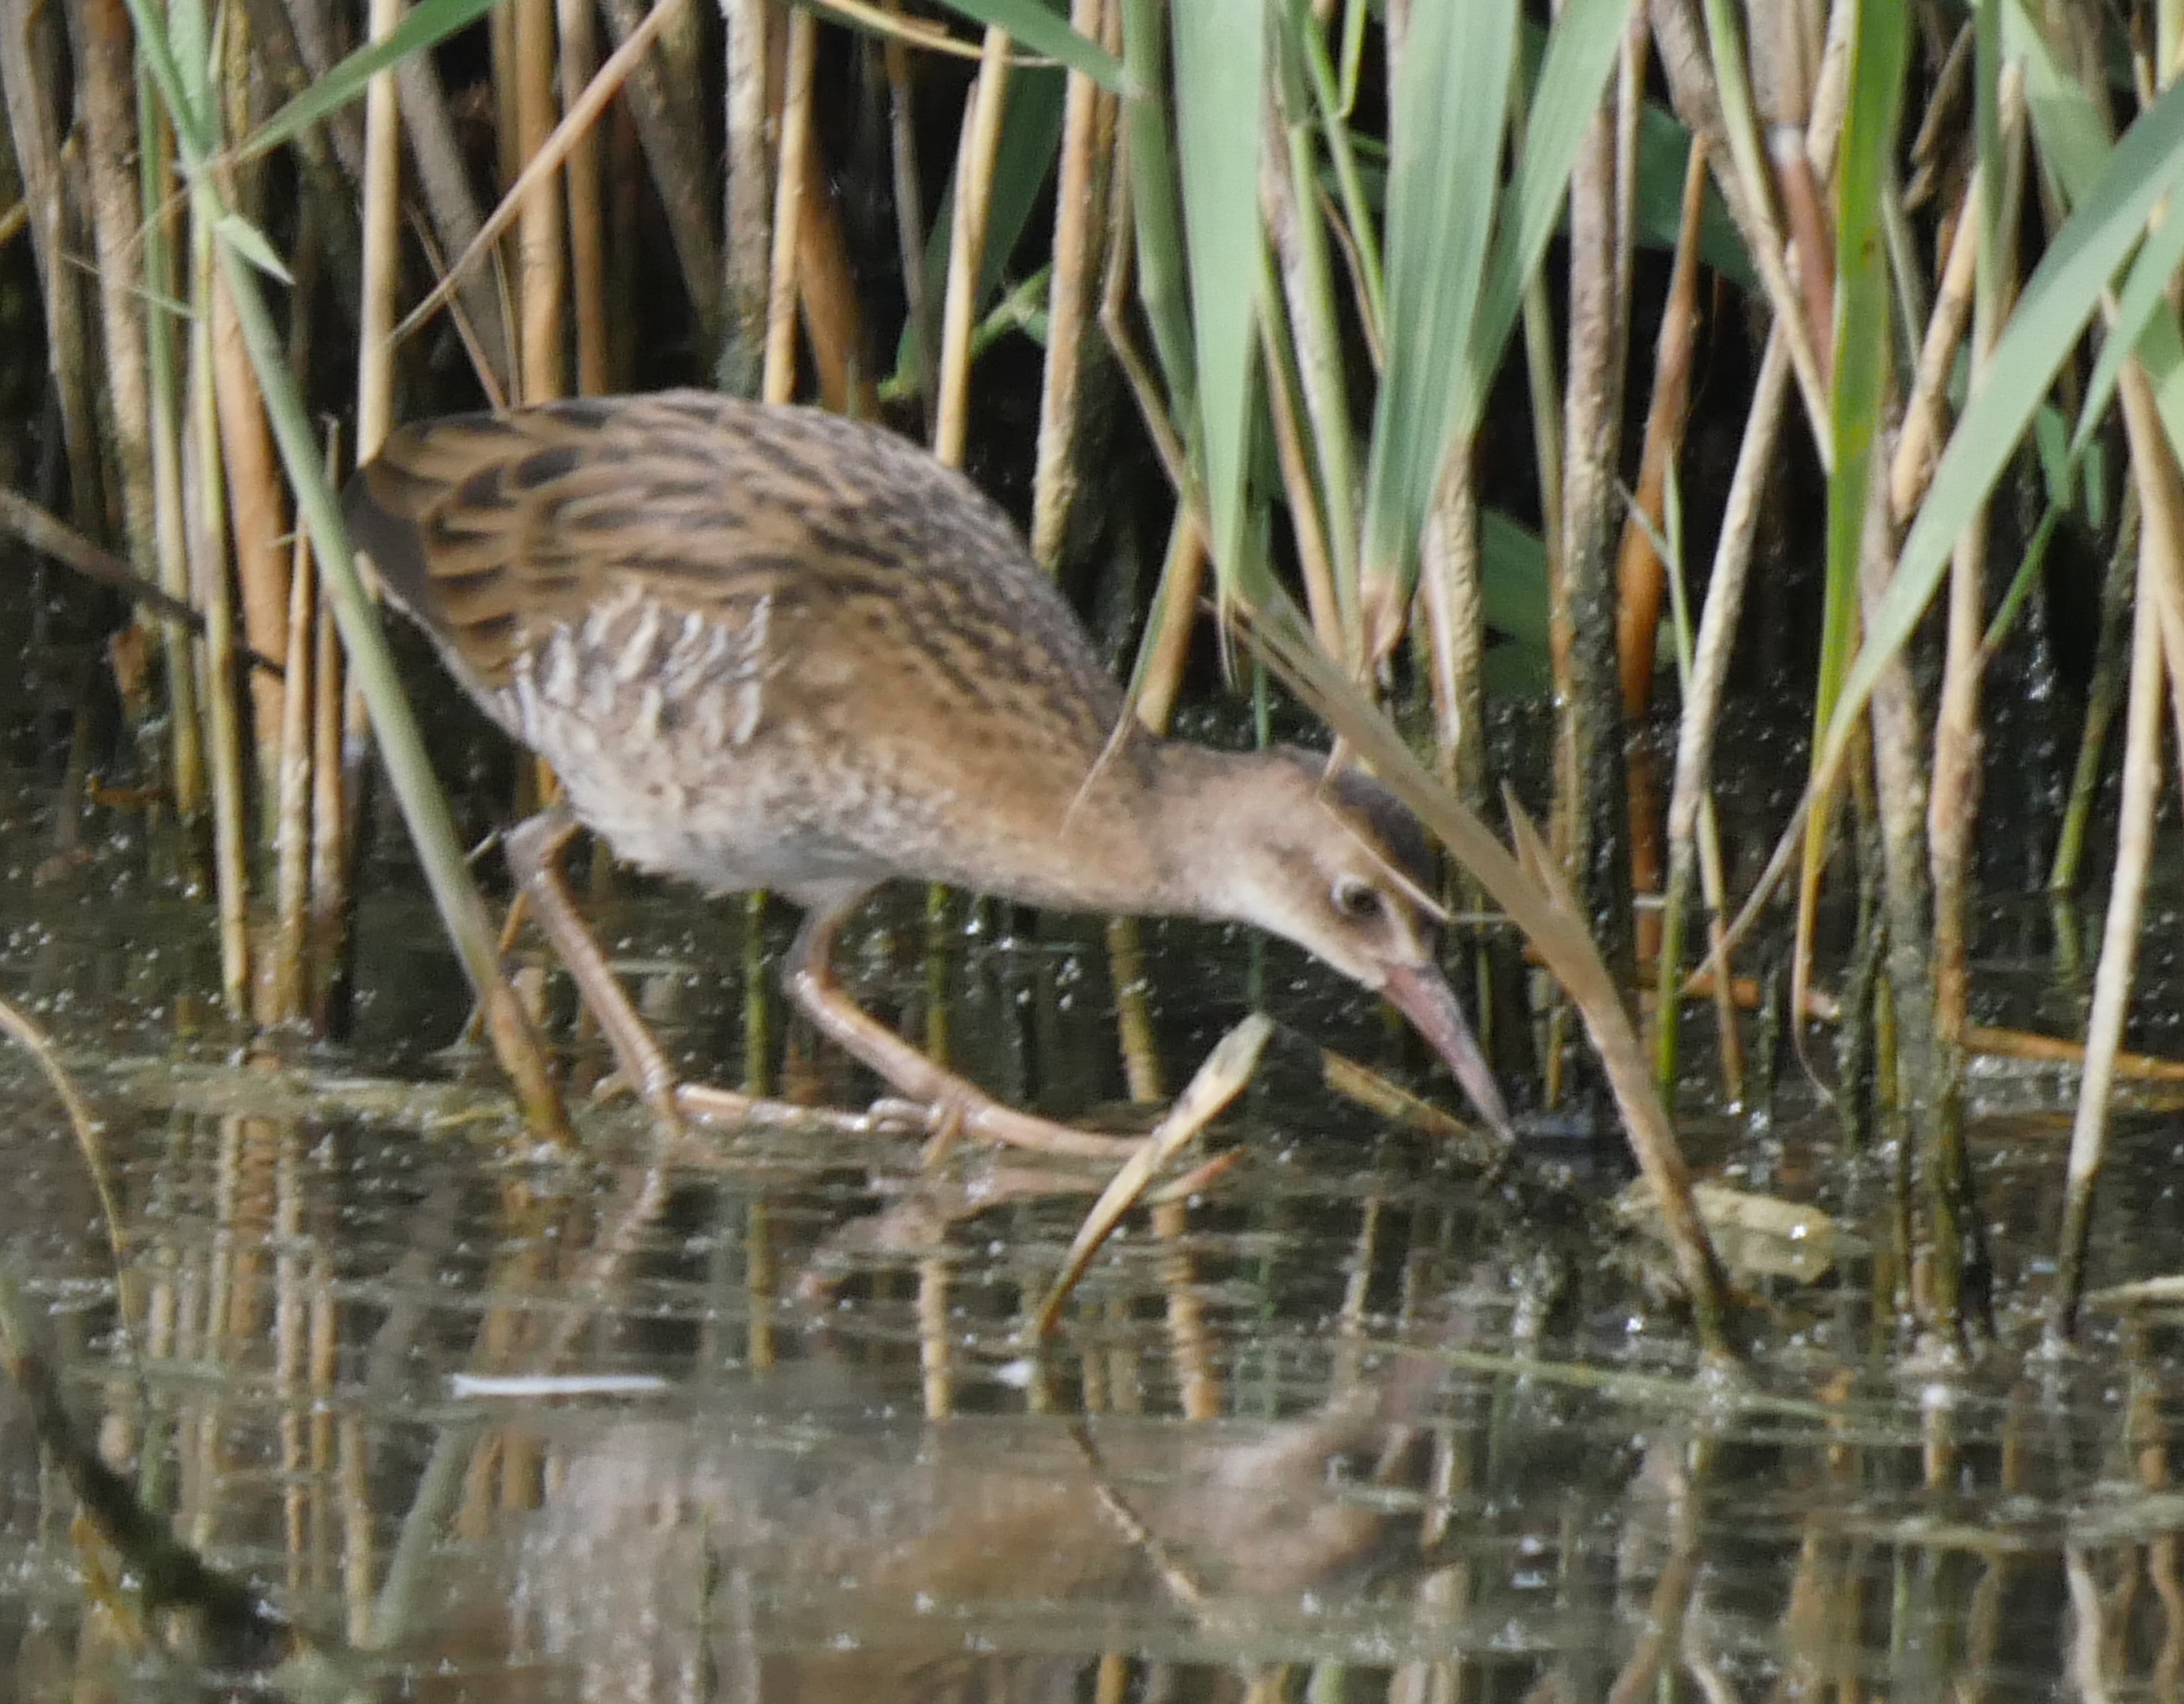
[(772, 648)]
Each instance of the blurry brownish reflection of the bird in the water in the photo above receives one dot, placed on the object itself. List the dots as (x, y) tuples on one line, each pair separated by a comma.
[(807, 1548)]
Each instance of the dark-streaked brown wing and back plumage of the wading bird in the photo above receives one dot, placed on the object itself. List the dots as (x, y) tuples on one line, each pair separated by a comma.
[(495, 530)]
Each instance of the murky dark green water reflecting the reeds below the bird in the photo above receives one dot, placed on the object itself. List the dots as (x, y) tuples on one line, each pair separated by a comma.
[(1462, 1447)]
